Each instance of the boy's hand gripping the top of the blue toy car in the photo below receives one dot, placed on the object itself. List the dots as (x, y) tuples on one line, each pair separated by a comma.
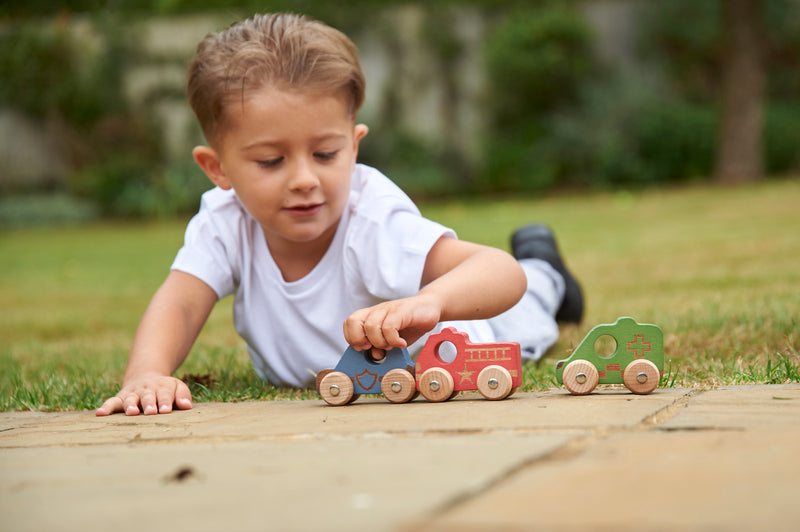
[(392, 324)]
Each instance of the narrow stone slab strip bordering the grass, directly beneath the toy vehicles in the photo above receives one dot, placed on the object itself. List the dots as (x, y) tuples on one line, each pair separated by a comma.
[(315, 419)]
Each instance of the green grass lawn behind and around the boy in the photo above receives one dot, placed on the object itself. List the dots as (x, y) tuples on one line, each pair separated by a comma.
[(716, 268)]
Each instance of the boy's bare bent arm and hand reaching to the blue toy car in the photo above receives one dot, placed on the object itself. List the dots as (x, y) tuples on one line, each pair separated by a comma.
[(461, 281)]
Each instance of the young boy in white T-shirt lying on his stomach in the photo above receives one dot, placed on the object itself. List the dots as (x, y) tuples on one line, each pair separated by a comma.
[(319, 251)]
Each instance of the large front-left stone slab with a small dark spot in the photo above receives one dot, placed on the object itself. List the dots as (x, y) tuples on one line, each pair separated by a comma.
[(345, 484)]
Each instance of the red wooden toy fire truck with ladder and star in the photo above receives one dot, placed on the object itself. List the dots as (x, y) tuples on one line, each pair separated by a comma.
[(495, 369)]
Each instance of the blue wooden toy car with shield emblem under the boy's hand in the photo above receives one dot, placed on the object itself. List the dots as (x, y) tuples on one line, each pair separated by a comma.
[(358, 373)]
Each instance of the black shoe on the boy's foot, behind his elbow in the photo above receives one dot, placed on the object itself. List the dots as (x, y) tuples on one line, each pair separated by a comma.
[(536, 241)]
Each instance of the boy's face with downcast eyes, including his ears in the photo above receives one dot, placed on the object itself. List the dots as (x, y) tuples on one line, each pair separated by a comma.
[(289, 157)]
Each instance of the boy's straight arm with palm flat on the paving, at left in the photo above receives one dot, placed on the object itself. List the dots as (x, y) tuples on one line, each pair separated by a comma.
[(165, 335)]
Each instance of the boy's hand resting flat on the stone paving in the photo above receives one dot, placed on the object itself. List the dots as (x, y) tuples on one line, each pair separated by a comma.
[(156, 394)]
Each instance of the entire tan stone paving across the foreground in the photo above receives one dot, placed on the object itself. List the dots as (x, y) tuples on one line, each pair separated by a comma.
[(676, 459)]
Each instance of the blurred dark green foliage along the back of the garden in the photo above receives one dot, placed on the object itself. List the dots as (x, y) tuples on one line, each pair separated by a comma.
[(554, 112)]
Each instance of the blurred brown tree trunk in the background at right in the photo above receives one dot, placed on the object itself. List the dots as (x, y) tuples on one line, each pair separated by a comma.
[(740, 149)]
